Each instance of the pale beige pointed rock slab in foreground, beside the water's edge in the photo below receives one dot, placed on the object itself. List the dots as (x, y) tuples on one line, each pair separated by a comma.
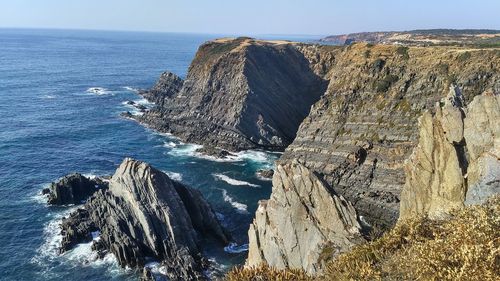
[(303, 224)]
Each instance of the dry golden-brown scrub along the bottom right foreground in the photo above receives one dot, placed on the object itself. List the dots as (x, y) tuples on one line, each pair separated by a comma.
[(465, 246)]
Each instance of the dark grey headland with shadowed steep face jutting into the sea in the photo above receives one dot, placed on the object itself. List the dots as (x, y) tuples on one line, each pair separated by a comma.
[(239, 94)]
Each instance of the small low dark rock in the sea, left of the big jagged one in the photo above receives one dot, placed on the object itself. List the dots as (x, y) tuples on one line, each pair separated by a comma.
[(72, 189)]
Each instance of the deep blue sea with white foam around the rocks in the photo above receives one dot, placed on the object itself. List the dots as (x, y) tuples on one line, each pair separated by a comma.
[(53, 123)]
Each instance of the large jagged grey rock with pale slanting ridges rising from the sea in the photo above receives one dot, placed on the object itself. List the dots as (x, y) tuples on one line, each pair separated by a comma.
[(145, 214)]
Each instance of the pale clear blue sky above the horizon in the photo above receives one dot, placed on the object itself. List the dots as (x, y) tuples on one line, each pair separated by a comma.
[(251, 17)]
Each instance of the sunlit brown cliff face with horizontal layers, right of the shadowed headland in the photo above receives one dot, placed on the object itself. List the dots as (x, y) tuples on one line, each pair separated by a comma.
[(358, 135)]
